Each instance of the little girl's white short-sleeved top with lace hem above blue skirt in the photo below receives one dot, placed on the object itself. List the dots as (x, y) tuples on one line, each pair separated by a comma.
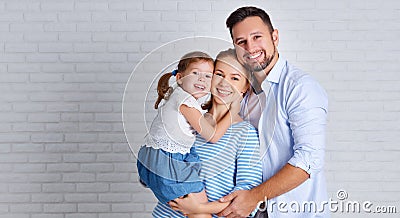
[(170, 130)]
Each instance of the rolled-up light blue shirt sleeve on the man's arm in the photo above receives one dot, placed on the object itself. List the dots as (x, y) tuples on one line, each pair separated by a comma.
[(307, 108)]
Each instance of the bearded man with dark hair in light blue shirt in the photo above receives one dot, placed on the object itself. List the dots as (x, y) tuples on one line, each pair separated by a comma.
[(291, 122)]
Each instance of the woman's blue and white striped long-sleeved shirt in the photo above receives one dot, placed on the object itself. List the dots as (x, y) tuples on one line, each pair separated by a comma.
[(233, 163)]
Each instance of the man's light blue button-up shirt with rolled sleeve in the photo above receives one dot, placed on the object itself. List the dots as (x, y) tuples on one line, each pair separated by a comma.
[(290, 115)]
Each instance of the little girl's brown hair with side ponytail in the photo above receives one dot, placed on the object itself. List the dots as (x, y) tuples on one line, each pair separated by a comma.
[(164, 90)]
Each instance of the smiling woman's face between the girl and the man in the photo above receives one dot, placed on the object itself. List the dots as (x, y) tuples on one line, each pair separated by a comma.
[(228, 83)]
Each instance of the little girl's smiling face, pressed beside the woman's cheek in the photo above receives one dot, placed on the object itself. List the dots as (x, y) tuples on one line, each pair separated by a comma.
[(196, 79)]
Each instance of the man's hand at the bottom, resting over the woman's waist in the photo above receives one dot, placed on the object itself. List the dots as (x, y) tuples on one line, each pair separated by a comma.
[(243, 203)]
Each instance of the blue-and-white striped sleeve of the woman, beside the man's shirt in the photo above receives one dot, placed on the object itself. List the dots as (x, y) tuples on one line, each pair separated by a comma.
[(248, 162)]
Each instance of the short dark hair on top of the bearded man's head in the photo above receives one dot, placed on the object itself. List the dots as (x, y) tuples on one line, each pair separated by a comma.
[(242, 13)]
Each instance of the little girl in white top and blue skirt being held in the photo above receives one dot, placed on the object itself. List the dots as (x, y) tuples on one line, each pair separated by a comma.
[(167, 163)]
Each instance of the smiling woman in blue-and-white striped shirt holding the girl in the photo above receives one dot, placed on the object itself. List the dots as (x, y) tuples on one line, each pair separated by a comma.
[(233, 162)]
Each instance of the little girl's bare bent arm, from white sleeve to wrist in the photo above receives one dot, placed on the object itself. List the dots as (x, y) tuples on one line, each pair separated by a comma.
[(203, 127)]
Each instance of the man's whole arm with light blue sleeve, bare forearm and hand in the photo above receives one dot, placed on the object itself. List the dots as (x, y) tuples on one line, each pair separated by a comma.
[(307, 111)]
